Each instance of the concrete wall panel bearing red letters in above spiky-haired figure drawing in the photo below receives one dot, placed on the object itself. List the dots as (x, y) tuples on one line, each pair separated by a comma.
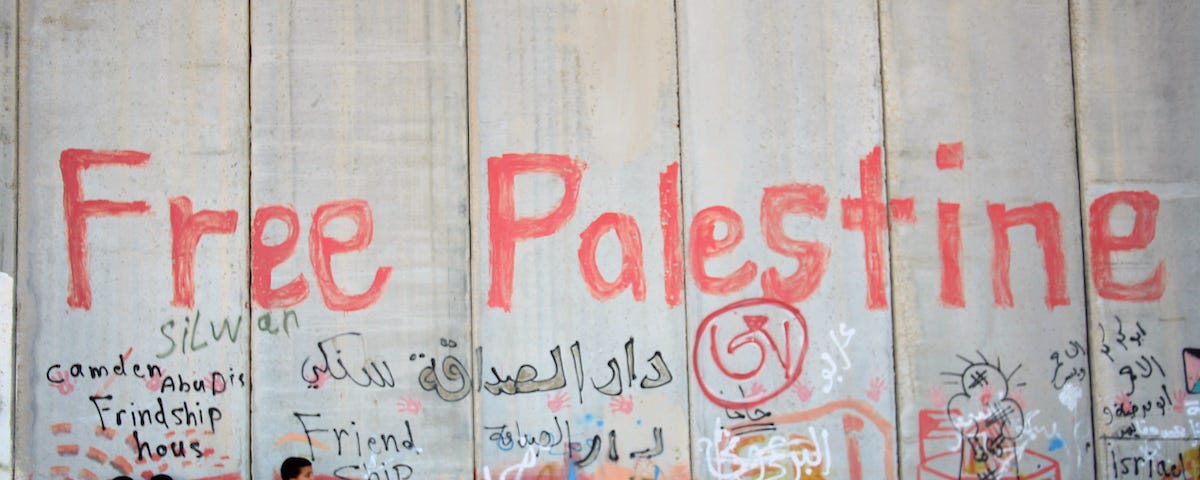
[(991, 346)]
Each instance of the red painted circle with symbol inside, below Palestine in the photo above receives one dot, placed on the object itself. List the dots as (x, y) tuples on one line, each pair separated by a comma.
[(733, 335)]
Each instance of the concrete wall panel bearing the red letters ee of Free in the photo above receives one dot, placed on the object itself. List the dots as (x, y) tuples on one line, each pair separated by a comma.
[(361, 127)]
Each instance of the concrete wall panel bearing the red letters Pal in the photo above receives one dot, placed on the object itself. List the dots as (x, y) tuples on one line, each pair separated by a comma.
[(573, 139)]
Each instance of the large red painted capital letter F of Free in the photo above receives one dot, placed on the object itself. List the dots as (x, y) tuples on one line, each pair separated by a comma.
[(76, 212)]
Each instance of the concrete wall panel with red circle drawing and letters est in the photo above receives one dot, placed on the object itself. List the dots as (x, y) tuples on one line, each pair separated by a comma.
[(782, 171)]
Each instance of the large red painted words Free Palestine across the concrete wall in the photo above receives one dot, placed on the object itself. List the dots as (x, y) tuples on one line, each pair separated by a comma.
[(712, 233)]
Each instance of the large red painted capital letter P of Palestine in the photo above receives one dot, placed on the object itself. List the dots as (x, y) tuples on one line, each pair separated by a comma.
[(506, 230)]
